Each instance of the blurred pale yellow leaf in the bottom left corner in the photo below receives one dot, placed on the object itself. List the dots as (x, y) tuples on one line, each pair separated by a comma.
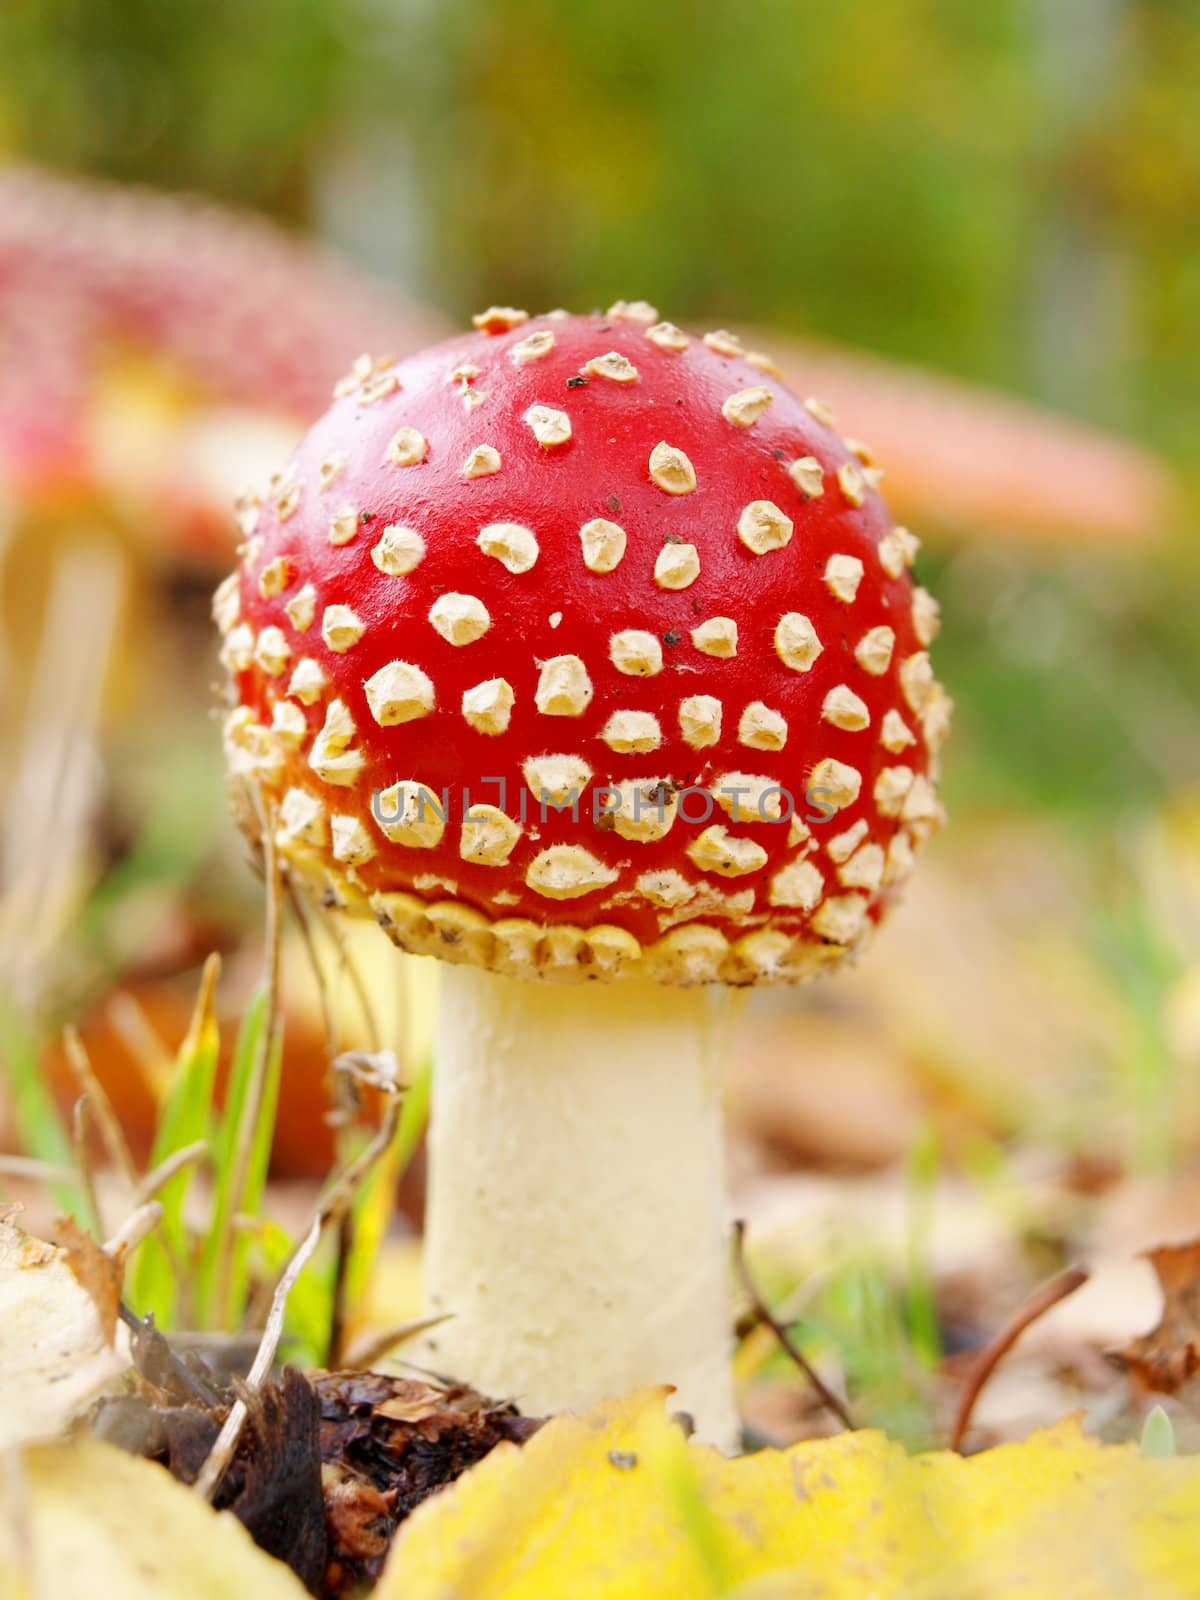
[(82, 1521)]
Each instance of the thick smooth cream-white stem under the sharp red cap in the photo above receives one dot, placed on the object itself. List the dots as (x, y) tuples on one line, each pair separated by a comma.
[(577, 1223)]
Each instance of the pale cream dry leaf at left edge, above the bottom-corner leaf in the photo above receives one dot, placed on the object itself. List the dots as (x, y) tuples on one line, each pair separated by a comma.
[(55, 1356)]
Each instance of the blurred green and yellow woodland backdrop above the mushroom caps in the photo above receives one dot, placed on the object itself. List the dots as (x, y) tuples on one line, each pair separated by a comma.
[(1006, 191)]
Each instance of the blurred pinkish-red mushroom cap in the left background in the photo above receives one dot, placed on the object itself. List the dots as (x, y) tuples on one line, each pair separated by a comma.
[(222, 310)]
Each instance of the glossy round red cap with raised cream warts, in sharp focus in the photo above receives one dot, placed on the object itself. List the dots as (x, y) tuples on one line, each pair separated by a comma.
[(582, 647)]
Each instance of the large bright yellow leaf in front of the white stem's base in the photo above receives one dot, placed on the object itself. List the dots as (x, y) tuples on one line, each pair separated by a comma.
[(617, 1506)]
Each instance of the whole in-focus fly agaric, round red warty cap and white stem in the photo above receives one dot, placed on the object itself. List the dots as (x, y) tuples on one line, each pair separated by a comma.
[(580, 649)]
